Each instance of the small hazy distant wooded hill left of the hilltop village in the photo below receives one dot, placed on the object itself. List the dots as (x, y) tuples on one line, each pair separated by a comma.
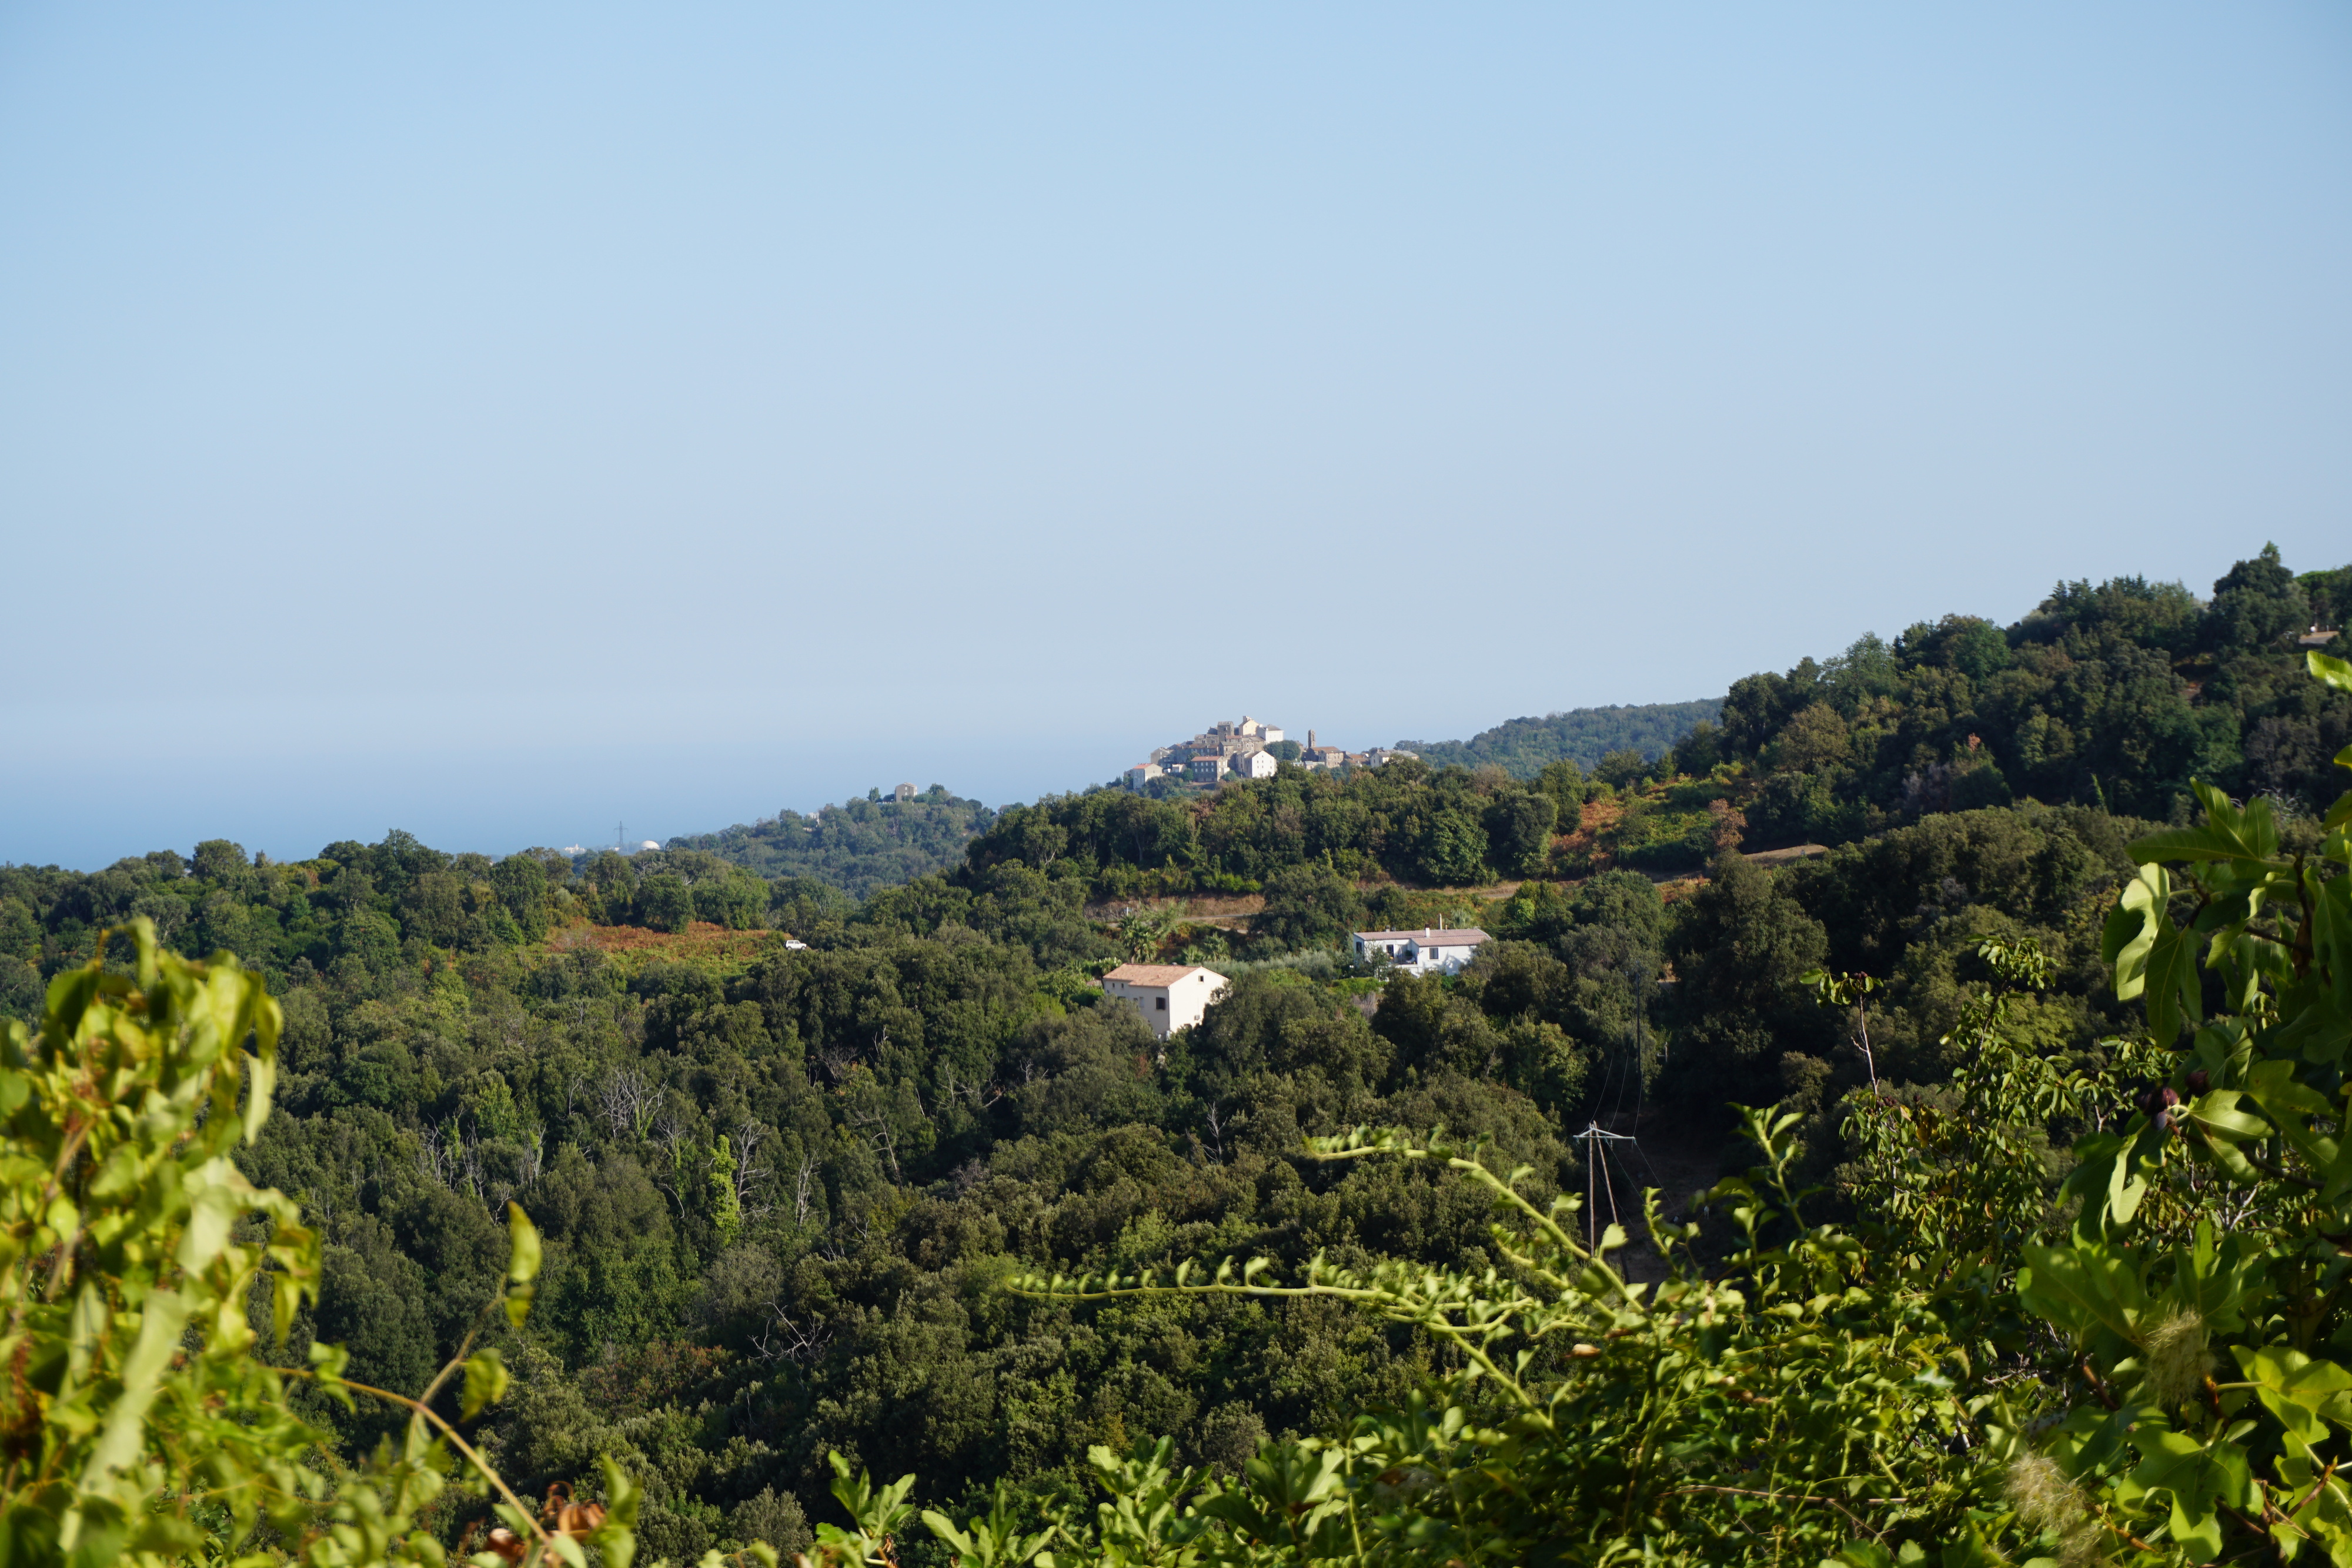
[(860, 845)]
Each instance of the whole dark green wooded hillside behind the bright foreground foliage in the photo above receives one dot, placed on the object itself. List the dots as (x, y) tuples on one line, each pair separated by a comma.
[(784, 1188)]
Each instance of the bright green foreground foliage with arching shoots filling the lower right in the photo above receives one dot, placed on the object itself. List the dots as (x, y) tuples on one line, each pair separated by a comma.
[(1967, 1372)]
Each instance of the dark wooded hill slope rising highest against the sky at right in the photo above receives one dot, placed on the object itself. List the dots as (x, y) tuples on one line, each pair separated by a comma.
[(2111, 697)]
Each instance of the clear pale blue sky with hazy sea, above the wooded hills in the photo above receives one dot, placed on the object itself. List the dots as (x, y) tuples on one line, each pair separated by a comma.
[(512, 420)]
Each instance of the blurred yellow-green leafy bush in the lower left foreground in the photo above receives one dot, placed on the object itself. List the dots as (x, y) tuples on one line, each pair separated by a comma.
[(142, 1419)]
